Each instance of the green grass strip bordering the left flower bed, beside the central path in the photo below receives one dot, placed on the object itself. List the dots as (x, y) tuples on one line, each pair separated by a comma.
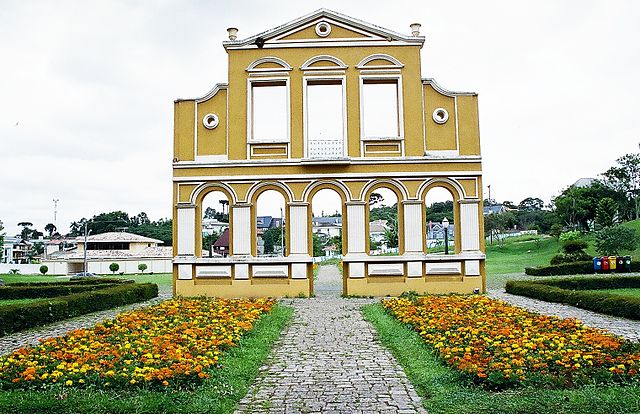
[(218, 394)]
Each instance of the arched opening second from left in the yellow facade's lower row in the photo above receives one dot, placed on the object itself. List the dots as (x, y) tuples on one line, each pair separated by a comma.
[(270, 225)]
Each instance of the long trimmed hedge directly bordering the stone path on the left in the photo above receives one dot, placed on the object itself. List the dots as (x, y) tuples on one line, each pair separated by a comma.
[(18, 317)]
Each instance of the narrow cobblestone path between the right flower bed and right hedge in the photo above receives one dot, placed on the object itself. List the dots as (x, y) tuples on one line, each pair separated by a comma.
[(626, 328)]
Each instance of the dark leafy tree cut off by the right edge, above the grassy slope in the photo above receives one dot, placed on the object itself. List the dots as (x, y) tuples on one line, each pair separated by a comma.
[(625, 178)]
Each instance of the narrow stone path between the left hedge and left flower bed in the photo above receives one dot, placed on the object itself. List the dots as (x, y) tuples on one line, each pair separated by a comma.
[(32, 337)]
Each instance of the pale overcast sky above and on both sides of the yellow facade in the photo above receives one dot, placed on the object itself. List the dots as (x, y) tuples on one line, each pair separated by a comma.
[(87, 90)]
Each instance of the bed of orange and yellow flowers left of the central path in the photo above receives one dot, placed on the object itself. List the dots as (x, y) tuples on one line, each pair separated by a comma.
[(174, 344)]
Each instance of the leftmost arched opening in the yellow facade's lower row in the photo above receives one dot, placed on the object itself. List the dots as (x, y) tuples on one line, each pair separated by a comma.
[(214, 225)]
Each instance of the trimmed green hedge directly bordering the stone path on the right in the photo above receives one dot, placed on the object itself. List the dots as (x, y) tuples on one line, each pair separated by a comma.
[(560, 291)]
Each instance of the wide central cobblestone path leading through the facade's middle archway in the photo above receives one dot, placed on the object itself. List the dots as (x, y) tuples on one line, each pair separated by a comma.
[(329, 361)]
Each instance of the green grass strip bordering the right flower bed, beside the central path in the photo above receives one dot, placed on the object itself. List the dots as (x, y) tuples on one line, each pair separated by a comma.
[(444, 391)]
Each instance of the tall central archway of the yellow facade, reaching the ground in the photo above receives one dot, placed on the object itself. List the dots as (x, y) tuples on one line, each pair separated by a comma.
[(327, 234)]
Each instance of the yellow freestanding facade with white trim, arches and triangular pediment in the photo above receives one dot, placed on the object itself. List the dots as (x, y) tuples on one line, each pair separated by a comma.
[(385, 127)]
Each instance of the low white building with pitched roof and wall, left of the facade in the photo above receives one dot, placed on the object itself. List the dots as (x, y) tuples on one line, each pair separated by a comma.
[(126, 249)]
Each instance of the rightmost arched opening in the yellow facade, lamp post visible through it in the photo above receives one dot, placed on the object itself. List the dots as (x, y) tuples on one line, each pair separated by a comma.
[(441, 221)]
